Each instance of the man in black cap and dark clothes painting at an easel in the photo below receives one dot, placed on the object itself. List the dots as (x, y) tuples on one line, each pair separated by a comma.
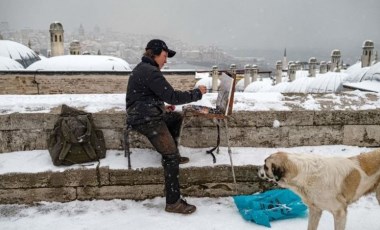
[(147, 93)]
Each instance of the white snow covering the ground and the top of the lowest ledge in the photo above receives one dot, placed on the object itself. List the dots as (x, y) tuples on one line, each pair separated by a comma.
[(212, 213)]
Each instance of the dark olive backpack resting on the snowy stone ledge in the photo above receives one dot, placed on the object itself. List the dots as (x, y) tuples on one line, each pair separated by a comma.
[(75, 139)]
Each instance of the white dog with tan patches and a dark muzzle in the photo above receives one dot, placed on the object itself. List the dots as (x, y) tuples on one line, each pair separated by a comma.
[(325, 183)]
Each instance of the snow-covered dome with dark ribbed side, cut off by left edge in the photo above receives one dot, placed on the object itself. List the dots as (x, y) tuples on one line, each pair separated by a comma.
[(18, 52)]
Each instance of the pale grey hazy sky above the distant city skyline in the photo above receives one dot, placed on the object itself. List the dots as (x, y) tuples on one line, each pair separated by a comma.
[(258, 24)]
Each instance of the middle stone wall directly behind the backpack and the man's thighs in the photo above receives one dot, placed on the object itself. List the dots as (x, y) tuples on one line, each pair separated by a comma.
[(19, 132)]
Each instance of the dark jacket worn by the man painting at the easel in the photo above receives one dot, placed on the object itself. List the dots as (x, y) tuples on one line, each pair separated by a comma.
[(148, 90)]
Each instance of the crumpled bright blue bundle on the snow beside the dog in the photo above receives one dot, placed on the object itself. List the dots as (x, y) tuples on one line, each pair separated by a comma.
[(271, 205)]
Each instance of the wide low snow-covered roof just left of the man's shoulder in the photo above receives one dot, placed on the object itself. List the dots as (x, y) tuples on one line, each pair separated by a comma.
[(81, 63)]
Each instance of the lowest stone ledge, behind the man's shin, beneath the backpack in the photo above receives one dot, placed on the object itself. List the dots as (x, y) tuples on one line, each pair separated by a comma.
[(105, 183)]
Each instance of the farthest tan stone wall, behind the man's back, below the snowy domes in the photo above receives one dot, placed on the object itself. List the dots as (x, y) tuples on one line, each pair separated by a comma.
[(31, 82)]
